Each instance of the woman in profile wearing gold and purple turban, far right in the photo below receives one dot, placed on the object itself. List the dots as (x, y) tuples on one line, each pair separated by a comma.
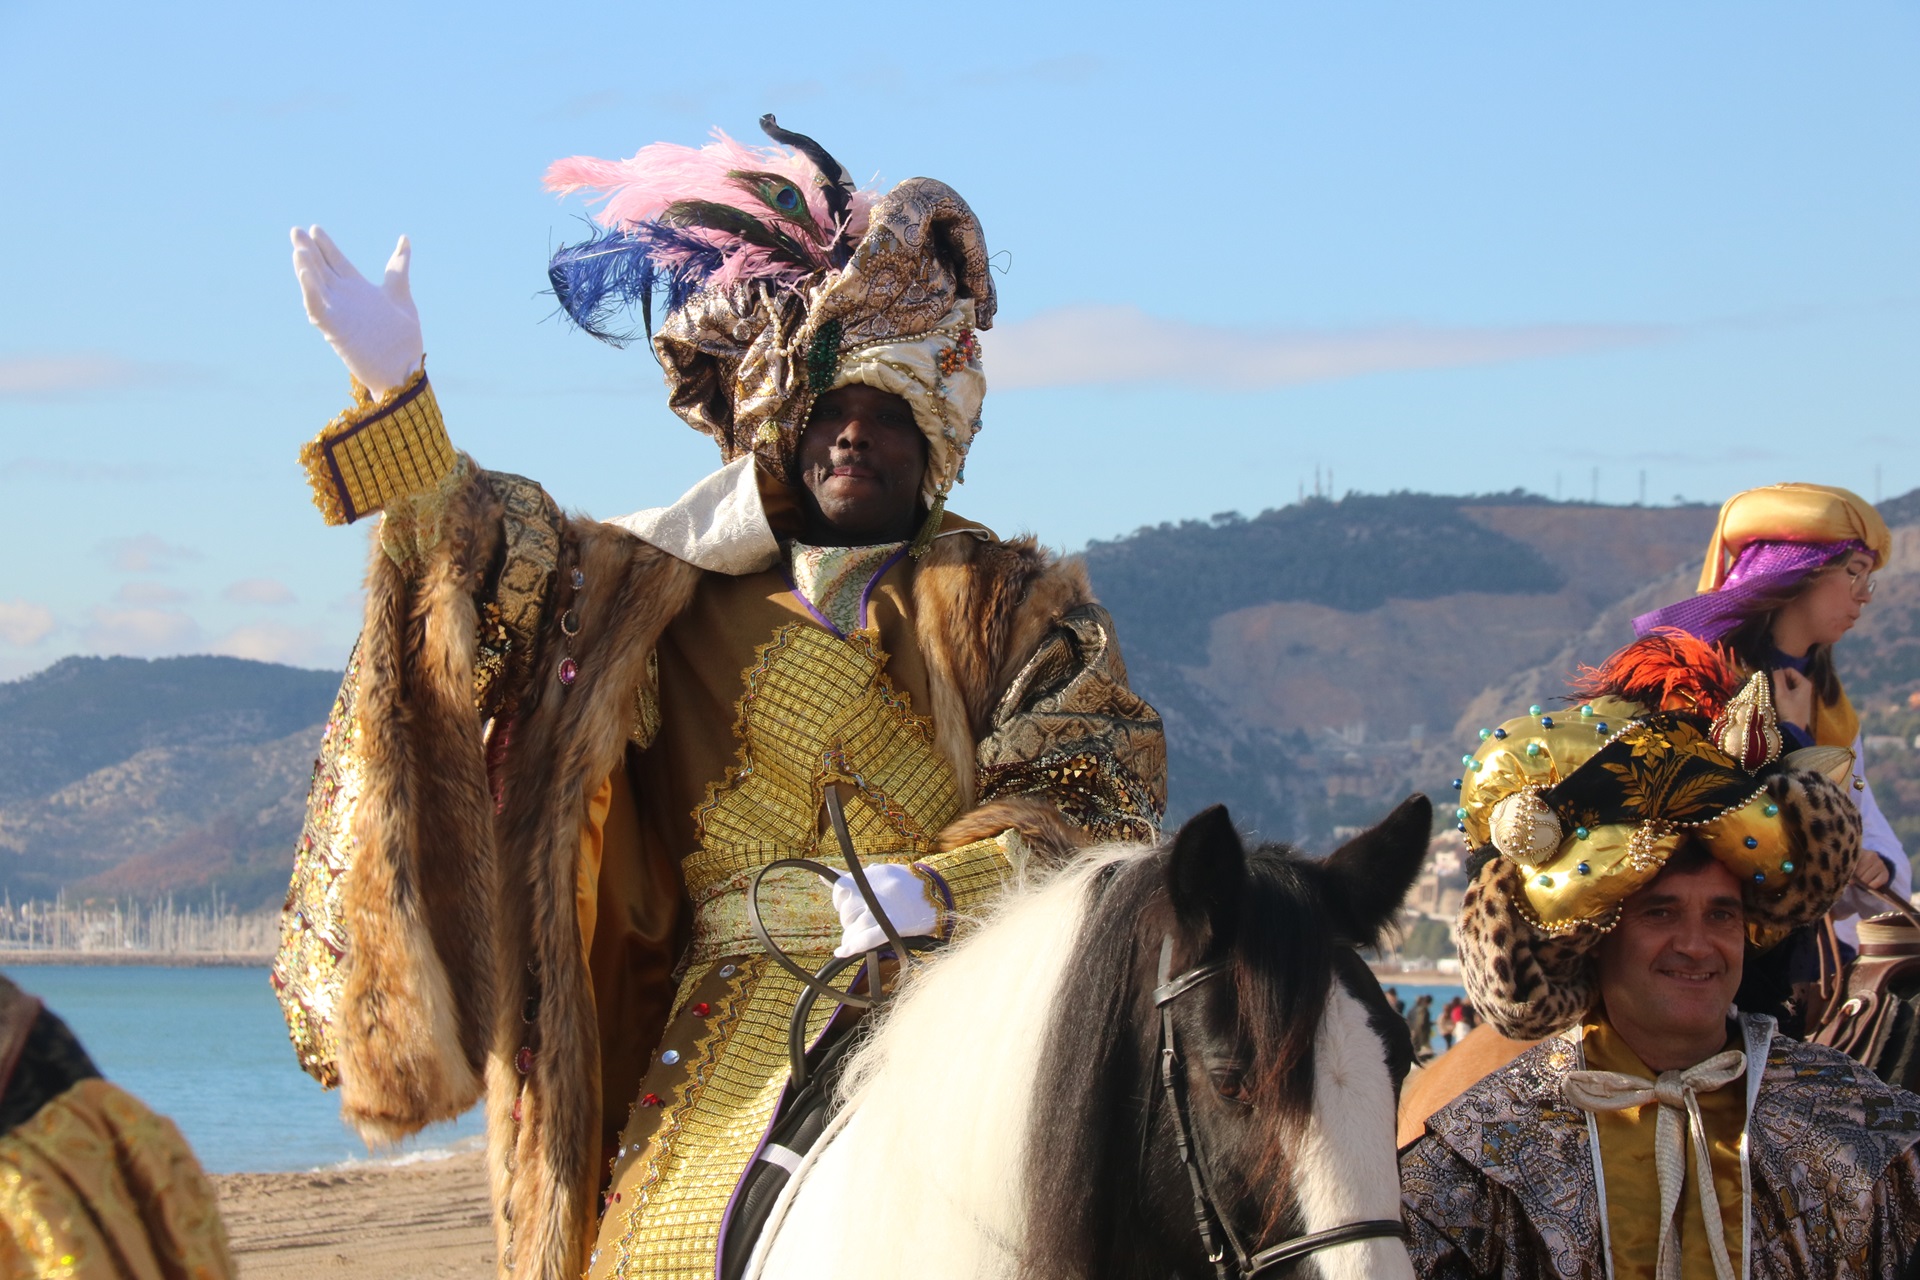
[(1788, 573)]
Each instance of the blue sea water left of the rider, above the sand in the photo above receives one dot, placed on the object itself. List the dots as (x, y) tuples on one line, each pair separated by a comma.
[(208, 1051)]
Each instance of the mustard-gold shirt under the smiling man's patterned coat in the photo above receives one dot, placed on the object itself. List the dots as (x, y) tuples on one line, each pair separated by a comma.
[(1631, 1179)]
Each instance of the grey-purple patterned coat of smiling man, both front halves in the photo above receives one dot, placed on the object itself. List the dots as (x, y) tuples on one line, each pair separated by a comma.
[(1504, 1185)]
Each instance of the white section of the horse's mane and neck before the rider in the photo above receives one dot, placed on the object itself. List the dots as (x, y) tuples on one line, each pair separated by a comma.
[(948, 1083)]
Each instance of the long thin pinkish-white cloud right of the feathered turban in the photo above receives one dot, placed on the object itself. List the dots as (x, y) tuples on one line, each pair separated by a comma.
[(1080, 346)]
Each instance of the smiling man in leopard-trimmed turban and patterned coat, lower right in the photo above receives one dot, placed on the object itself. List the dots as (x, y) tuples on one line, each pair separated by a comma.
[(1633, 855)]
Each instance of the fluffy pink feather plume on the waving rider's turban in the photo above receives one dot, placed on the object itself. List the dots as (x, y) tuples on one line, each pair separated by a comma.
[(636, 191)]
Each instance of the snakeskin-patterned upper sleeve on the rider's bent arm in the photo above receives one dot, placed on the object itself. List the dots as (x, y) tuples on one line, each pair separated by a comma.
[(1072, 732)]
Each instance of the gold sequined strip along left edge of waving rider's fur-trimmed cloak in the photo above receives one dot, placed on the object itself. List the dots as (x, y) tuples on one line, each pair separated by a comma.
[(306, 970)]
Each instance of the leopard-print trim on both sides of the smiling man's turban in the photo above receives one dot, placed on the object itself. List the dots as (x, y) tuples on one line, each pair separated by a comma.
[(1531, 985)]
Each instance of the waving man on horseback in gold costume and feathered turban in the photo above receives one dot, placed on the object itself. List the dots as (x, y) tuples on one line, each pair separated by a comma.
[(565, 747)]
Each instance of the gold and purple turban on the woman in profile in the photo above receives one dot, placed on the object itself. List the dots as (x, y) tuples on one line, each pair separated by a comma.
[(1767, 542)]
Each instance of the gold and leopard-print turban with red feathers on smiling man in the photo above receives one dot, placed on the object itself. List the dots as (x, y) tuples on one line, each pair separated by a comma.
[(1573, 813)]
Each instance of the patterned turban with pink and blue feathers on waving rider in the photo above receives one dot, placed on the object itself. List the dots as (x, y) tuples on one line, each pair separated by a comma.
[(782, 283)]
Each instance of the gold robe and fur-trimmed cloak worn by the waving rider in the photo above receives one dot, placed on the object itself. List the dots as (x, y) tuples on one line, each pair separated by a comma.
[(546, 891)]
